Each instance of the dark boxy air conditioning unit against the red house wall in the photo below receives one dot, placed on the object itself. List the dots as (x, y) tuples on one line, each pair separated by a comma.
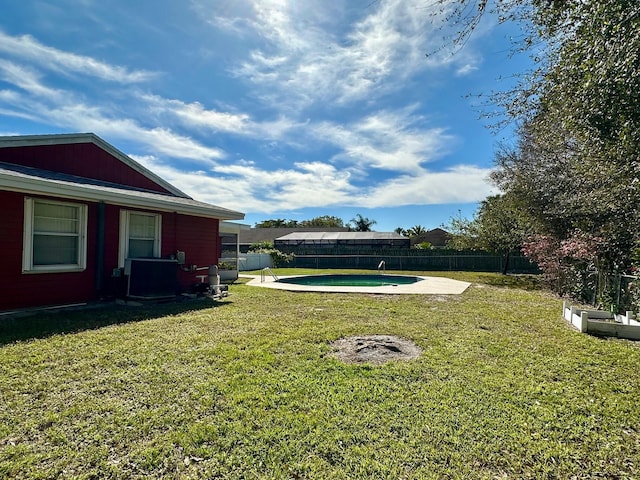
[(151, 278)]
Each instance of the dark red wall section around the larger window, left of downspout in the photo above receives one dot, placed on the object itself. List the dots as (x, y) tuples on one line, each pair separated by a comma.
[(36, 289)]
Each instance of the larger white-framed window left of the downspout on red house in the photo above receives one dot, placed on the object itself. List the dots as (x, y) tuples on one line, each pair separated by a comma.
[(55, 236)]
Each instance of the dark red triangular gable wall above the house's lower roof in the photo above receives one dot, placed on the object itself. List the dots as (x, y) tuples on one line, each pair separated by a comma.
[(81, 159)]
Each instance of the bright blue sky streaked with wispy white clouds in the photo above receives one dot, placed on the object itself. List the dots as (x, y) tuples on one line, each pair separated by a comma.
[(276, 108)]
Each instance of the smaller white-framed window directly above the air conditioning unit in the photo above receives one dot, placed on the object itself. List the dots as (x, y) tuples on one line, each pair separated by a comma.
[(139, 235)]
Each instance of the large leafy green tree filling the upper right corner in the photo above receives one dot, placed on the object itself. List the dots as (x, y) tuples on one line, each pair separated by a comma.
[(576, 168)]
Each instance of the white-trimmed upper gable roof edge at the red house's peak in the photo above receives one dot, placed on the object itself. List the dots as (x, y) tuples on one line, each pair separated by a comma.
[(72, 138)]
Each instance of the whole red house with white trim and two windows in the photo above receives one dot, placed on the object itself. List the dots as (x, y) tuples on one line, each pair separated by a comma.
[(81, 221)]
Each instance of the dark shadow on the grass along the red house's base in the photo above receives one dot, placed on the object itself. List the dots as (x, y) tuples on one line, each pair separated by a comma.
[(43, 324)]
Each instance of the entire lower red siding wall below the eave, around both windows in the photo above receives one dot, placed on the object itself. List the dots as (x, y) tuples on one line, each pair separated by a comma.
[(197, 237)]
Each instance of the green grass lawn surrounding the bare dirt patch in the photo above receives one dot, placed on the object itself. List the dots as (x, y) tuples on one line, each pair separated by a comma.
[(247, 388)]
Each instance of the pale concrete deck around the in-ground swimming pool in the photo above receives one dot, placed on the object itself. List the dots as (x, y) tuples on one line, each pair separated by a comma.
[(427, 286)]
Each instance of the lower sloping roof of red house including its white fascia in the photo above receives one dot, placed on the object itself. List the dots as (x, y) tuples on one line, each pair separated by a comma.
[(44, 182)]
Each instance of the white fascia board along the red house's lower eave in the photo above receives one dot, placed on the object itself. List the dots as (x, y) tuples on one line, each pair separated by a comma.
[(159, 202)]
